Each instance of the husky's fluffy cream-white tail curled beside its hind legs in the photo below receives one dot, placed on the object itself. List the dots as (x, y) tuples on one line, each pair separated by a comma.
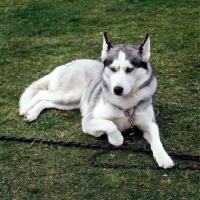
[(32, 90)]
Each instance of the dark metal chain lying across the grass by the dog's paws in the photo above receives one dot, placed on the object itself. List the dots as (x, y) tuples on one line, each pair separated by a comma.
[(106, 148)]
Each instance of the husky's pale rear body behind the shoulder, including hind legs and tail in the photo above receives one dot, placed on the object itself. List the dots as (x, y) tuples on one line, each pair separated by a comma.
[(63, 88)]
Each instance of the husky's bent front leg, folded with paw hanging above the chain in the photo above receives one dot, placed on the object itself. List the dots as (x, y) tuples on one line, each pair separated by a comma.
[(98, 127)]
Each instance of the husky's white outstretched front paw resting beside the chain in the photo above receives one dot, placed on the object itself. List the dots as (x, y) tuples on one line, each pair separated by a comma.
[(163, 159)]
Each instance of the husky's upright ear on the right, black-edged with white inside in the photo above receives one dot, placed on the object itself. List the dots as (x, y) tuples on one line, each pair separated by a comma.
[(144, 48)]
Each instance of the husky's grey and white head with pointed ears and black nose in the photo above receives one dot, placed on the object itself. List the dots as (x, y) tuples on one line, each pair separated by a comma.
[(125, 66)]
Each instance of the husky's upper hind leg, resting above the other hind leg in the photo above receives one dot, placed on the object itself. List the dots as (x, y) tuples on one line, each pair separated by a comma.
[(52, 96)]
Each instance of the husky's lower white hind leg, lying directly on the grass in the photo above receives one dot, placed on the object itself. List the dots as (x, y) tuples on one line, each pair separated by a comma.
[(44, 104)]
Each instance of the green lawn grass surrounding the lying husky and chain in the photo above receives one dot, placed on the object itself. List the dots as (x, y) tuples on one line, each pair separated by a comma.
[(37, 36)]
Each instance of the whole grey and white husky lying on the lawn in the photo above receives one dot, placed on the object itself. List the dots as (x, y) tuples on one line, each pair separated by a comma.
[(113, 95)]
